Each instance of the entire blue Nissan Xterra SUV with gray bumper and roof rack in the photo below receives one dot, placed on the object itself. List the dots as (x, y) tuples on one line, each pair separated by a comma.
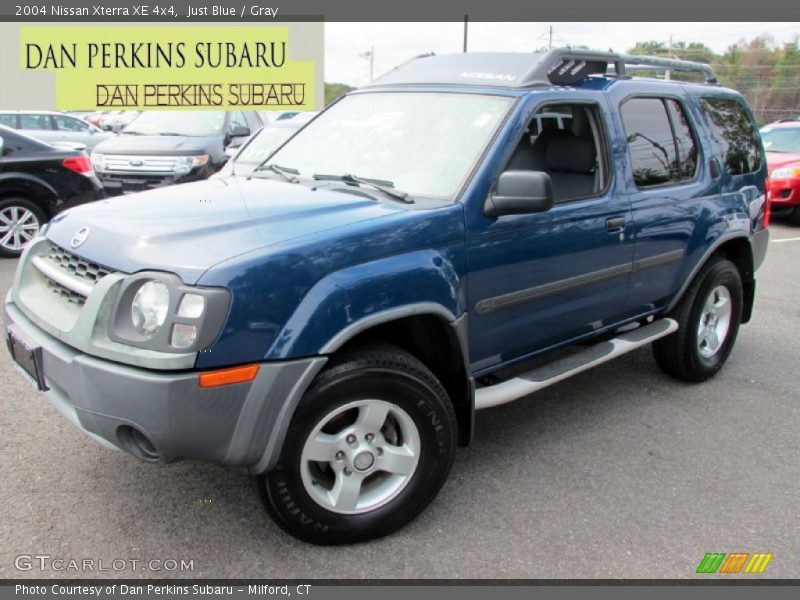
[(333, 320)]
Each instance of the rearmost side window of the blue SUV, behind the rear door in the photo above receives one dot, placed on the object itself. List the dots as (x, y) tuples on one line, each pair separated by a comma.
[(734, 134)]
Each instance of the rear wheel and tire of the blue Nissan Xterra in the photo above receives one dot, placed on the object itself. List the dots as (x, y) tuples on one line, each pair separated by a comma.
[(708, 318)]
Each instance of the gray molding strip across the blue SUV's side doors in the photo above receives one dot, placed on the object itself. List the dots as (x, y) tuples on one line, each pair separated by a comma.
[(490, 305)]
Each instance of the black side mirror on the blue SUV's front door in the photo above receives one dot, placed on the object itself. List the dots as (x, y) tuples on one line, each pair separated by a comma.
[(520, 193)]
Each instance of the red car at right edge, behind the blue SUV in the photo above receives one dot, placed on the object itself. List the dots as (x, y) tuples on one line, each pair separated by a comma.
[(782, 143)]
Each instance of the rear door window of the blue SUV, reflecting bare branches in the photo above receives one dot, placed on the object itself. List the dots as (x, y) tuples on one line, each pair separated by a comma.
[(661, 144)]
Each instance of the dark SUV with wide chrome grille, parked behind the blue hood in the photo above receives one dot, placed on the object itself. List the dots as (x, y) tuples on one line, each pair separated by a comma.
[(160, 148)]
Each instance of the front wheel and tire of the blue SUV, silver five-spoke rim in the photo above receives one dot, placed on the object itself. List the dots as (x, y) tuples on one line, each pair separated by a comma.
[(369, 447)]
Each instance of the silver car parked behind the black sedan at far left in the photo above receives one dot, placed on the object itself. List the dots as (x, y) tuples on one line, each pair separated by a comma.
[(54, 127)]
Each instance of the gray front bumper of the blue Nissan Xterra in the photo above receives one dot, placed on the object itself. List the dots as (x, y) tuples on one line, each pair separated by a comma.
[(241, 424)]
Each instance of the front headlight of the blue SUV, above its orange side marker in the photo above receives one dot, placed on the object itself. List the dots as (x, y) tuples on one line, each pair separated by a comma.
[(157, 311)]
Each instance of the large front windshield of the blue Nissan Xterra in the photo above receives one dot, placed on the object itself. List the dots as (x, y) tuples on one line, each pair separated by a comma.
[(423, 143)]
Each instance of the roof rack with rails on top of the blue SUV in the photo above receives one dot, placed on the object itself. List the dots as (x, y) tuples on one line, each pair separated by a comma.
[(567, 65)]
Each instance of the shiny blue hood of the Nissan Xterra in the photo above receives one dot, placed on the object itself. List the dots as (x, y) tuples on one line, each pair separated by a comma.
[(188, 228)]
